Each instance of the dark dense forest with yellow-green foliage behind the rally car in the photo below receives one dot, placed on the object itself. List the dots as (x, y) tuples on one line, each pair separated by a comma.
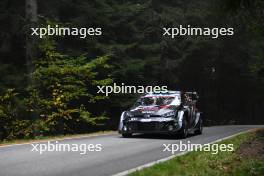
[(48, 86)]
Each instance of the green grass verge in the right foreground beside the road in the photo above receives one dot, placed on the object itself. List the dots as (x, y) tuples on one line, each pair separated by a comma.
[(205, 163)]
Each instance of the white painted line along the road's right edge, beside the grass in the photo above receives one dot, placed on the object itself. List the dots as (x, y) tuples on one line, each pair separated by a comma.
[(124, 173)]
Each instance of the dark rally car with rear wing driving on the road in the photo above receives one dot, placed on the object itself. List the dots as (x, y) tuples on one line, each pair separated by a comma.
[(172, 112)]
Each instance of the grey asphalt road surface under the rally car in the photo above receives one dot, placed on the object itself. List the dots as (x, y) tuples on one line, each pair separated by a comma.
[(117, 155)]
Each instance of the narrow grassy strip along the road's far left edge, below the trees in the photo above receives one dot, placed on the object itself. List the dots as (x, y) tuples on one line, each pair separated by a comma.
[(58, 137)]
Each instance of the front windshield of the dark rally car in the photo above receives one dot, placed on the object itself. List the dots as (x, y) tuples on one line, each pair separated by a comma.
[(152, 101)]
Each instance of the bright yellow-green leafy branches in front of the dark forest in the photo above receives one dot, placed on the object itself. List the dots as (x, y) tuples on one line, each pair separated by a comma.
[(61, 91)]
